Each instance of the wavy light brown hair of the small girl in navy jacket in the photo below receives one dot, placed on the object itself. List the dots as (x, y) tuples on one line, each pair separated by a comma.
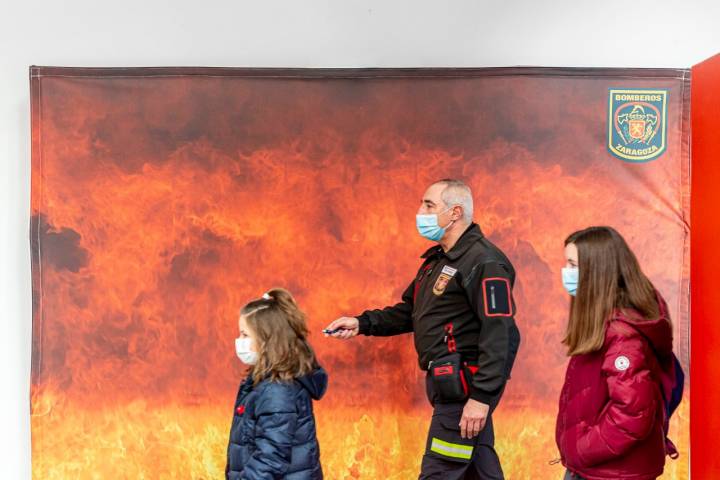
[(281, 335)]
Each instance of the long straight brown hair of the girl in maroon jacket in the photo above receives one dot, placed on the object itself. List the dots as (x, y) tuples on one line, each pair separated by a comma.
[(610, 279)]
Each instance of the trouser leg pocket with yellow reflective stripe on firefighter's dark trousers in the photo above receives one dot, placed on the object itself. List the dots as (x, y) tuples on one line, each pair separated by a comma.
[(444, 439)]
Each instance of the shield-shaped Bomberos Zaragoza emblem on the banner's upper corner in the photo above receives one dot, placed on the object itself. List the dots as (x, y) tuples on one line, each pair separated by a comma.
[(637, 124)]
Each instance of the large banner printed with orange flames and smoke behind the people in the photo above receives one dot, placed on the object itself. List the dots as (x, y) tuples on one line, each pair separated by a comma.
[(163, 199)]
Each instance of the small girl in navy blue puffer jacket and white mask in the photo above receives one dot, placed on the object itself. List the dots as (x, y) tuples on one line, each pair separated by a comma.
[(273, 428)]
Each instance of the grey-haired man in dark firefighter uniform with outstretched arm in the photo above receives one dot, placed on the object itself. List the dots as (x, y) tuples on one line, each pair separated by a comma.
[(461, 312)]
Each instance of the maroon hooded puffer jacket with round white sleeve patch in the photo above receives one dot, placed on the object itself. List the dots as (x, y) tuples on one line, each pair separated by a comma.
[(610, 422)]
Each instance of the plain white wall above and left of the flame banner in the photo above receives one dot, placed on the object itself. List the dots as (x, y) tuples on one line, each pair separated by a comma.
[(332, 33)]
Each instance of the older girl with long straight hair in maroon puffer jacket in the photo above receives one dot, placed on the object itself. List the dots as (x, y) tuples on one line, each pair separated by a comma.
[(619, 338)]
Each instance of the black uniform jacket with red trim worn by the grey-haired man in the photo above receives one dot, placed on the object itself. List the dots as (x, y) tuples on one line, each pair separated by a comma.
[(467, 289)]
